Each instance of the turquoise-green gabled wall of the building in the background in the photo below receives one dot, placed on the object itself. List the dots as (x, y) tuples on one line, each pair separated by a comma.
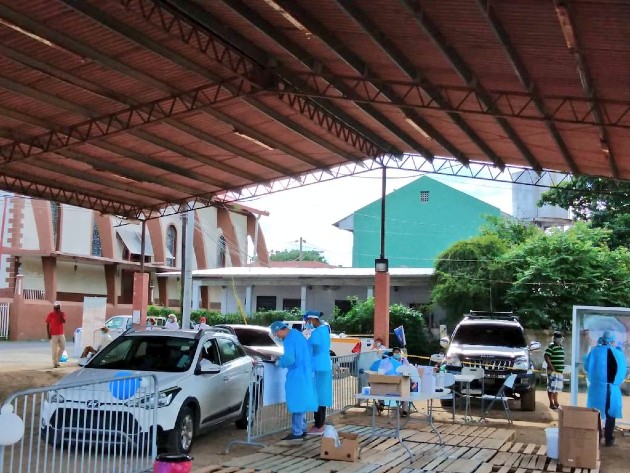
[(416, 232)]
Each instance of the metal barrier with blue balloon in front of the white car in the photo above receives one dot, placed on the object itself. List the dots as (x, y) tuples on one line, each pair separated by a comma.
[(106, 426)]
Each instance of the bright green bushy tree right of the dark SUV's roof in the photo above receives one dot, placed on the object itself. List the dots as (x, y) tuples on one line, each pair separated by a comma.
[(550, 273)]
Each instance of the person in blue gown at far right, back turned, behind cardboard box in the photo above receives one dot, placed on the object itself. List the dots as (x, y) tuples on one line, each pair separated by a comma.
[(605, 367)]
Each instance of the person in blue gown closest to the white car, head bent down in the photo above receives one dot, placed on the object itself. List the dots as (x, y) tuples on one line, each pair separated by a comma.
[(299, 390)]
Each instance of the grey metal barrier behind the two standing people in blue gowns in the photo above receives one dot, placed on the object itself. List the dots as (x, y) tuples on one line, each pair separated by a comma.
[(271, 419)]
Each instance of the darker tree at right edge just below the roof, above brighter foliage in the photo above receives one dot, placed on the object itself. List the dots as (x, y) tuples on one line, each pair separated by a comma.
[(603, 203)]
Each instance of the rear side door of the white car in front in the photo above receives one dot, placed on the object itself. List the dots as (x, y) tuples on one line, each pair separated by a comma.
[(236, 368)]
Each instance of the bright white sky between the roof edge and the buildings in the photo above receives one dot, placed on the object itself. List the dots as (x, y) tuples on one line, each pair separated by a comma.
[(310, 212)]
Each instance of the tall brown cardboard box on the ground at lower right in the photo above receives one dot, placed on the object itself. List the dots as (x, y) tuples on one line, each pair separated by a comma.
[(578, 437)]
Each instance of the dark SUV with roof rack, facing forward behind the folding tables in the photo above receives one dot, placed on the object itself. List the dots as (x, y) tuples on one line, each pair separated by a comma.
[(495, 342)]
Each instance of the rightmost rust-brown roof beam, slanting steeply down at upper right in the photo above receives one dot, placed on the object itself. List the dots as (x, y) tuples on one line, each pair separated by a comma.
[(563, 11)]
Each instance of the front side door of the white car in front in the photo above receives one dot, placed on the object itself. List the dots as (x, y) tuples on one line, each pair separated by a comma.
[(210, 387)]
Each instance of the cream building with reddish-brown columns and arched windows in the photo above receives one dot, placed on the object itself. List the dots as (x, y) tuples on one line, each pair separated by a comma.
[(52, 251)]
